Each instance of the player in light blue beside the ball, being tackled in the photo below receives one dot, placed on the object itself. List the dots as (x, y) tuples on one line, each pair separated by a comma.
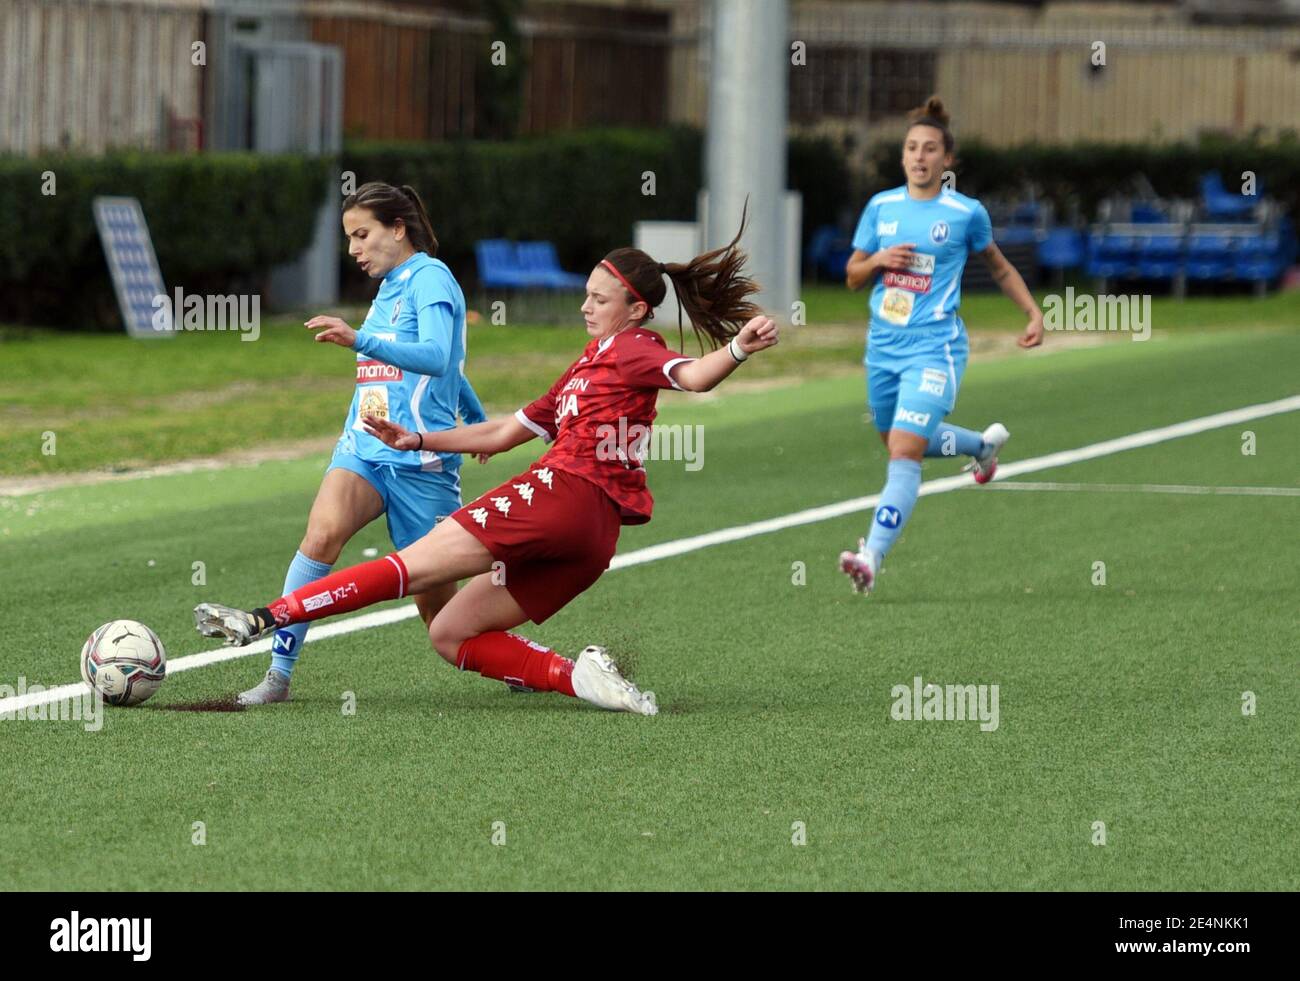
[(410, 370)]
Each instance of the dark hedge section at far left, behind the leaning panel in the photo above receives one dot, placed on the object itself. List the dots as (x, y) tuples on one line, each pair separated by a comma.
[(218, 220)]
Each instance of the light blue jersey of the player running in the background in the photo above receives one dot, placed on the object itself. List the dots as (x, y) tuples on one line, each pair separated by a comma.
[(917, 307)]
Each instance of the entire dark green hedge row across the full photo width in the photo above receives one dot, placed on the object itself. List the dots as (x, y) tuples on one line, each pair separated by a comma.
[(222, 220)]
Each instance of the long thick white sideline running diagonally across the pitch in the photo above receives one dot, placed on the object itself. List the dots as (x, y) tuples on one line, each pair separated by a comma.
[(682, 546)]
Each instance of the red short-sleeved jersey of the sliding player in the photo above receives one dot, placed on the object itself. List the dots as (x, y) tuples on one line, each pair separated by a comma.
[(600, 415)]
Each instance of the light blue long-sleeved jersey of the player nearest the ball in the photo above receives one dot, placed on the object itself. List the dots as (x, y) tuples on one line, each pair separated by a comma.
[(410, 363)]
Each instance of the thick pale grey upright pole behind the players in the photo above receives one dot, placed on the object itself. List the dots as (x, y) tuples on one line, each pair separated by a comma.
[(746, 145)]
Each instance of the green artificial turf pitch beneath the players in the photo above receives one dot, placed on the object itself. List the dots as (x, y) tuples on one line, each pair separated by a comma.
[(1119, 704)]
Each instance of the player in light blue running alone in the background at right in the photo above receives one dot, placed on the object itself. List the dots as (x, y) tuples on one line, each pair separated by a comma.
[(917, 238)]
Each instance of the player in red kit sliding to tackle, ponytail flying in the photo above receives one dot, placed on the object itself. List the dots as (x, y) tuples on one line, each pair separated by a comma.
[(543, 537)]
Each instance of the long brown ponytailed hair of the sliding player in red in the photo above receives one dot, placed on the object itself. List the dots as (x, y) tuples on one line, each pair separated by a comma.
[(712, 288)]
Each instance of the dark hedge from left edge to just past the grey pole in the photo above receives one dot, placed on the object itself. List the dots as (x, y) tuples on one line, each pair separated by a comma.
[(220, 220)]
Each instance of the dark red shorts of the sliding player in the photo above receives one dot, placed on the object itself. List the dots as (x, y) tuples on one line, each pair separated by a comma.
[(554, 532)]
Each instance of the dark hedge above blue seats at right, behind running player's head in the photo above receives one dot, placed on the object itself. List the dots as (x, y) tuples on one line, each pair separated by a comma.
[(1084, 175)]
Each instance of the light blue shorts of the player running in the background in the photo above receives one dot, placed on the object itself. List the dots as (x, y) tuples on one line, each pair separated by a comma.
[(915, 390)]
